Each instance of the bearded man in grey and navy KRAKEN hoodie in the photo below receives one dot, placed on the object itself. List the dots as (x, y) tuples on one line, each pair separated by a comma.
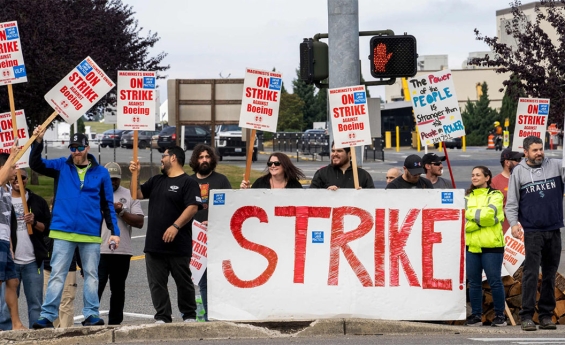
[(534, 209)]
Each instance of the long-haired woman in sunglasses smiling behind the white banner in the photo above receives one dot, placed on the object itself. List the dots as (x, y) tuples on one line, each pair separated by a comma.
[(281, 173)]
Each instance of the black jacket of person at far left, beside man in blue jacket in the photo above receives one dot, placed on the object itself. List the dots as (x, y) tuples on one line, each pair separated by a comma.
[(40, 210)]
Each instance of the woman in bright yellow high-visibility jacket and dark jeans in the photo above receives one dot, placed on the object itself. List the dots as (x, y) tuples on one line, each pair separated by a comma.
[(485, 245)]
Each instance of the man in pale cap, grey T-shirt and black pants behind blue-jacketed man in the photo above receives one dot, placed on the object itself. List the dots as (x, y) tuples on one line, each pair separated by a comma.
[(114, 263)]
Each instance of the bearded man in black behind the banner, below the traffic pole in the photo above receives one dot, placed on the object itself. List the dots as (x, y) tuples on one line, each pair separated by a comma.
[(339, 173)]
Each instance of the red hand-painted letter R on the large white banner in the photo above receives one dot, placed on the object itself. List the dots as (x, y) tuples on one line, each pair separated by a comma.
[(340, 240)]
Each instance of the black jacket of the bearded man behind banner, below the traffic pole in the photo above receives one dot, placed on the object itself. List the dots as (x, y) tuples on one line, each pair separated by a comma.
[(333, 176)]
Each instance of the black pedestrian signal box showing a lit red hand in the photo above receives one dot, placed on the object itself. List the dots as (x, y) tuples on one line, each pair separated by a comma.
[(393, 56)]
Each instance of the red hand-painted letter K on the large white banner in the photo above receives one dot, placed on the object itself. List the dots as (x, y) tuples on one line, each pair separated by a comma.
[(397, 241)]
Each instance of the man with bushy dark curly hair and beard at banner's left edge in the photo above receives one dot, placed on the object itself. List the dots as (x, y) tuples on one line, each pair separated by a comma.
[(203, 162)]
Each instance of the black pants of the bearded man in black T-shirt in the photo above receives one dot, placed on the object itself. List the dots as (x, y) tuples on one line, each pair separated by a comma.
[(158, 268)]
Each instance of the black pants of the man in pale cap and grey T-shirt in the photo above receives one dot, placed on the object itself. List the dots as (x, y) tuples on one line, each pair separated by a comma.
[(115, 267)]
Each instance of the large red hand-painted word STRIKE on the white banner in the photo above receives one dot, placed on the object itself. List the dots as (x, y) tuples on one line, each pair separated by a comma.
[(339, 243)]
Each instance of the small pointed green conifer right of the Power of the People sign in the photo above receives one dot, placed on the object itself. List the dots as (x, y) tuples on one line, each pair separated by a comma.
[(479, 118)]
